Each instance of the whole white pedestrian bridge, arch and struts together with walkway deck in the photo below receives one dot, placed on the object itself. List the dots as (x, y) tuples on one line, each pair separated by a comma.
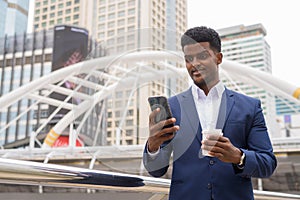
[(103, 76)]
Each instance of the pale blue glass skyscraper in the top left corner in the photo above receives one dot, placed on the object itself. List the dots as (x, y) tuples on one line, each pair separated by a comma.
[(13, 17)]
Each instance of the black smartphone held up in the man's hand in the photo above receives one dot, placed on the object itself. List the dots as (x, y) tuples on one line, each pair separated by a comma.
[(165, 111)]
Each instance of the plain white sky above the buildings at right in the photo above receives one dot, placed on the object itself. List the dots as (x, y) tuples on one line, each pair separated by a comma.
[(280, 19)]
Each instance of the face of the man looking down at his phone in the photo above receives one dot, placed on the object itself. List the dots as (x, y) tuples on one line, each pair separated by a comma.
[(202, 64)]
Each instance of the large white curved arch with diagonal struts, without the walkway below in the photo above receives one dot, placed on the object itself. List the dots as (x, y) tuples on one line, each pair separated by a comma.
[(113, 75)]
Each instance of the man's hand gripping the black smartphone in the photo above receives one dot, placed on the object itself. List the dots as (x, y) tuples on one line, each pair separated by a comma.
[(157, 134)]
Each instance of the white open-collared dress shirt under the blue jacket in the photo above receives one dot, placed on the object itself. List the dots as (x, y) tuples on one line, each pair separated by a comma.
[(208, 106)]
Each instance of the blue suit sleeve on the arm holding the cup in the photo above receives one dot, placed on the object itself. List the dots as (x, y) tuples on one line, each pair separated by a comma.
[(260, 160)]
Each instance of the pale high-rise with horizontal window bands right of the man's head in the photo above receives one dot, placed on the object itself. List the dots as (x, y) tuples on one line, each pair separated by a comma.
[(247, 45)]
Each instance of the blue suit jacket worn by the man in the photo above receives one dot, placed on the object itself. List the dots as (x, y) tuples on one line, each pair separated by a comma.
[(197, 177)]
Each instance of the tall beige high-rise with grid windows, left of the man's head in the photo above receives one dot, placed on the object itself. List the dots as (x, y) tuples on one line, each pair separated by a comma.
[(123, 26)]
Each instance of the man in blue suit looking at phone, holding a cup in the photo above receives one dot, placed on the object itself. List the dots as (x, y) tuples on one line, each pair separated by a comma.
[(244, 150)]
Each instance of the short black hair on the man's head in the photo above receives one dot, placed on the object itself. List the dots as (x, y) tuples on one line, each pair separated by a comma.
[(201, 34)]
